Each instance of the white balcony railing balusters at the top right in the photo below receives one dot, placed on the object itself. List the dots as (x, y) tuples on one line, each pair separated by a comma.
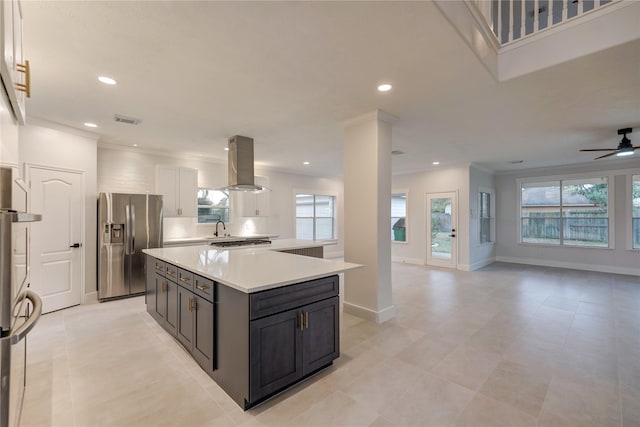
[(513, 20)]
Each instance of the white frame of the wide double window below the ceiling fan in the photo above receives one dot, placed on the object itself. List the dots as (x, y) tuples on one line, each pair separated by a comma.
[(609, 175)]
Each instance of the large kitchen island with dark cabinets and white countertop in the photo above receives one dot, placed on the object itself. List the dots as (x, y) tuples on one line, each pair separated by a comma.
[(256, 319)]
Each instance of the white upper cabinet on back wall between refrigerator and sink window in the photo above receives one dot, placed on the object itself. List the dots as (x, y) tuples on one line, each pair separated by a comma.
[(179, 187)]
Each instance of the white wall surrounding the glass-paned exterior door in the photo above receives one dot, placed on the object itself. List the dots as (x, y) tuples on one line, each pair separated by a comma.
[(418, 185)]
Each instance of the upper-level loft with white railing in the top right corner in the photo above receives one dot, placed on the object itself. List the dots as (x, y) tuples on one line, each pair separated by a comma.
[(517, 37)]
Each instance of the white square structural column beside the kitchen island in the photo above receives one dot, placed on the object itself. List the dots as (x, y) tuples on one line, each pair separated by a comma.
[(367, 213)]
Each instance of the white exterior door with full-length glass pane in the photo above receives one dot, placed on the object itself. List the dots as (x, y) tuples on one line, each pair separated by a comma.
[(442, 222)]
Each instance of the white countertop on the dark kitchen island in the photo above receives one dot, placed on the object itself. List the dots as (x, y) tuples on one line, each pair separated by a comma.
[(253, 269)]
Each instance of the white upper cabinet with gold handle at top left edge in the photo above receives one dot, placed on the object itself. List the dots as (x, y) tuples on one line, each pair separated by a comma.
[(13, 67)]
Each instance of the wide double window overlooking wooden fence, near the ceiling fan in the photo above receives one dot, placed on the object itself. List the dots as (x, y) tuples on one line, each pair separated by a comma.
[(565, 212)]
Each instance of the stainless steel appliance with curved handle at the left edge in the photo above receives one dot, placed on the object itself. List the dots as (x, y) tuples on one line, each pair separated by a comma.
[(20, 307)]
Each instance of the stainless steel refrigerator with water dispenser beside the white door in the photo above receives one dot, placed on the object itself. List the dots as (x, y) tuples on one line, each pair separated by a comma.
[(127, 224)]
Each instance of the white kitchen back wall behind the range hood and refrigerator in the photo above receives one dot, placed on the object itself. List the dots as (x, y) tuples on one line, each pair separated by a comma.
[(133, 171)]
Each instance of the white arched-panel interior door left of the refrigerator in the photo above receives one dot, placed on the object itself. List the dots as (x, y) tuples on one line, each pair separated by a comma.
[(56, 265)]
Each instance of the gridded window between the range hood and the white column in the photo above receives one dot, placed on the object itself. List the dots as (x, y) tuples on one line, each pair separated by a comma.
[(315, 216)]
